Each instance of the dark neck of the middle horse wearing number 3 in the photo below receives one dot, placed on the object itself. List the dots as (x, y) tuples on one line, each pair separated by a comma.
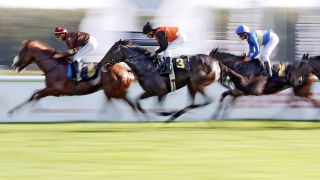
[(138, 61)]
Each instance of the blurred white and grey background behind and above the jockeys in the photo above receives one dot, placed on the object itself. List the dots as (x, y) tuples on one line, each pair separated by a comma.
[(208, 23)]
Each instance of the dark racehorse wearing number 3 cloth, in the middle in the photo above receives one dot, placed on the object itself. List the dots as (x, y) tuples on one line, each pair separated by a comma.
[(203, 71)]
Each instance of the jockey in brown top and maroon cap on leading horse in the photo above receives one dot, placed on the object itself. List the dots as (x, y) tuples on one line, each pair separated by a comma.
[(79, 45)]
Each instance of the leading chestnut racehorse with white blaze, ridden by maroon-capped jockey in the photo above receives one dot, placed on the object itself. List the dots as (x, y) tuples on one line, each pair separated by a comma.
[(114, 80)]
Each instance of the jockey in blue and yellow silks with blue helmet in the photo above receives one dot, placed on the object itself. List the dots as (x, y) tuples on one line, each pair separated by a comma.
[(258, 38)]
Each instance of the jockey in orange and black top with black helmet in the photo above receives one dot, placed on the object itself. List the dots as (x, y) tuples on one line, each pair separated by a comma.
[(168, 38)]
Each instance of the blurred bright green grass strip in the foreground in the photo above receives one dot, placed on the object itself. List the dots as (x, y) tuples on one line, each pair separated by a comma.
[(199, 150)]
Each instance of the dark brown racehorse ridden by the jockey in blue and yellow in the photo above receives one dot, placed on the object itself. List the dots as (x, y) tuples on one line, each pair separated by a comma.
[(247, 78)]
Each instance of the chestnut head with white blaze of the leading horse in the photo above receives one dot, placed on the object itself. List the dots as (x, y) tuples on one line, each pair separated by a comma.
[(31, 51)]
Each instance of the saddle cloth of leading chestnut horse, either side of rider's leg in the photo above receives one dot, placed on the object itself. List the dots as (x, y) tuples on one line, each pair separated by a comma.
[(89, 71)]
